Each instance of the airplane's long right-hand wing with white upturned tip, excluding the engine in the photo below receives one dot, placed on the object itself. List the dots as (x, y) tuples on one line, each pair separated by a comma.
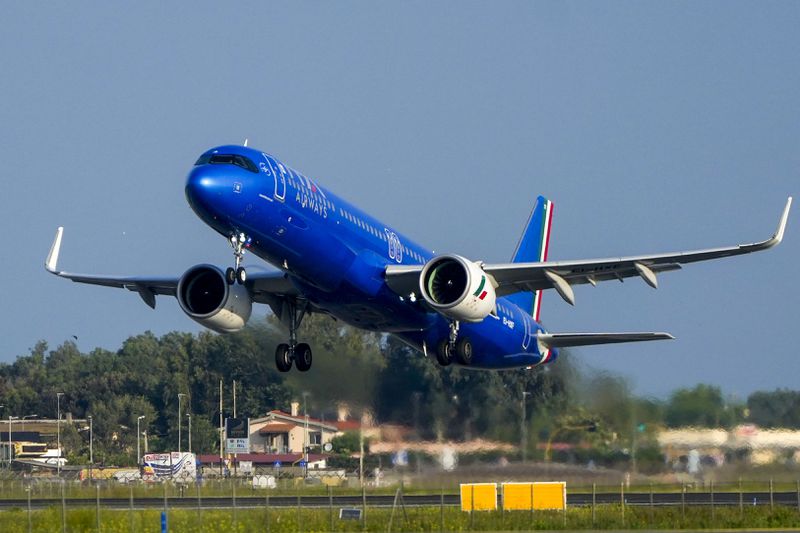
[(561, 275)]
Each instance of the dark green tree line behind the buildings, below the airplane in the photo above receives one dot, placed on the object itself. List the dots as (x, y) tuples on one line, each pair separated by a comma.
[(365, 371)]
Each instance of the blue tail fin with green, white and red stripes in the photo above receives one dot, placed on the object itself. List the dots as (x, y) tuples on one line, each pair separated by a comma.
[(532, 248)]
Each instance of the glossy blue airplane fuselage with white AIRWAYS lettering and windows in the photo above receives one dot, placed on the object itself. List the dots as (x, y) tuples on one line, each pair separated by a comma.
[(336, 255)]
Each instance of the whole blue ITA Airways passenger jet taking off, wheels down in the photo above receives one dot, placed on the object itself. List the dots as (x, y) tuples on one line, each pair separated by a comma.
[(334, 259)]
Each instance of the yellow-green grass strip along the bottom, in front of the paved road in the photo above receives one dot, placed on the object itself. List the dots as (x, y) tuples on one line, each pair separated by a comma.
[(414, 519)]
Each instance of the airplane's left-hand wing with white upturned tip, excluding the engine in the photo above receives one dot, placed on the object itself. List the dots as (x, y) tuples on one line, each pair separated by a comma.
[(263, 286)]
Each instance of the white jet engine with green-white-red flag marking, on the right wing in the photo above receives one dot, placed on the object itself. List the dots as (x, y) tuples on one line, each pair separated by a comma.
[(457, 288)]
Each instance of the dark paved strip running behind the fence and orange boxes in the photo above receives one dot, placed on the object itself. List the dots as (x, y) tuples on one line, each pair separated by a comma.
[(573, 499)]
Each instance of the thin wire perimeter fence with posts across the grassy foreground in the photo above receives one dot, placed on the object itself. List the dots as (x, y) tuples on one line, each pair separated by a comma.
[(223, 505)]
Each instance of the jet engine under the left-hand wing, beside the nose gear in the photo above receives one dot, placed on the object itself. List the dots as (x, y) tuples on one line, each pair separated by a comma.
[(204, 295)]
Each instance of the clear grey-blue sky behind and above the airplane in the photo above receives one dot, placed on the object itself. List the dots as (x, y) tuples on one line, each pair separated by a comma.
[(652, 126)]
